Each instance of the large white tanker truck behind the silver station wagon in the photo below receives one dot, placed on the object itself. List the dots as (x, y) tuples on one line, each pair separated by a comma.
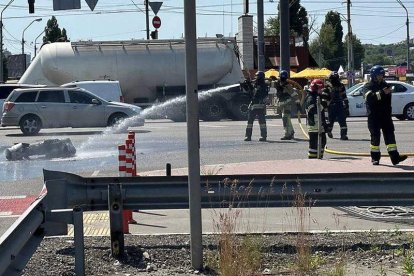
[(149, 72)]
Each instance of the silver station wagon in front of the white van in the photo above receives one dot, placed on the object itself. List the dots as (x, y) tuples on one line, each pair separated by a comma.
[(52, 107)]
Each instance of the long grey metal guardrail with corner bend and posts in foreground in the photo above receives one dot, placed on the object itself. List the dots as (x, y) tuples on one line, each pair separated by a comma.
[(69, 191)]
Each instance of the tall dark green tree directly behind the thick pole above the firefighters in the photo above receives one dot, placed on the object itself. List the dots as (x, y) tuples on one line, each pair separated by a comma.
[(298, 20)]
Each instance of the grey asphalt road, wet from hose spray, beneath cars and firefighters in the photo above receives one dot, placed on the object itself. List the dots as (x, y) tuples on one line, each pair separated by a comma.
[(162, 141)]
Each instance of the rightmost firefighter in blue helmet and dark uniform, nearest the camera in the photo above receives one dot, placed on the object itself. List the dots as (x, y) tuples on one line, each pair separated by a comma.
[(377, 94)]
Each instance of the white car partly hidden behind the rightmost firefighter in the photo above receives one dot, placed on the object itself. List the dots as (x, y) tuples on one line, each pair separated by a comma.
[(402, 100)]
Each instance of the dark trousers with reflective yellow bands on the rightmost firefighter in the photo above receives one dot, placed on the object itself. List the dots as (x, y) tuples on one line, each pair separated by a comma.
[(375, 125)]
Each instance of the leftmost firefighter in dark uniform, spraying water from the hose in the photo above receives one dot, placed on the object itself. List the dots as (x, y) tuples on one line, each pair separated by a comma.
[(257, 107)]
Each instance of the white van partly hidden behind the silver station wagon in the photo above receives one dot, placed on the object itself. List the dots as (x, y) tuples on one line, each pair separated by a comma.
[(107, 89)]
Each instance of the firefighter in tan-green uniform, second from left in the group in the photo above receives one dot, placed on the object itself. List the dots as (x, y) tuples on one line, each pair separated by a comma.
[(286, 96)]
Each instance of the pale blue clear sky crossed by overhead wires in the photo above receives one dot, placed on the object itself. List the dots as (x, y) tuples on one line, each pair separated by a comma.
[(373, 21)]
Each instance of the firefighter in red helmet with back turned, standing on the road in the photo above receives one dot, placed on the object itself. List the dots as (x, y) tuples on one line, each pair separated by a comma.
[(316, 128)]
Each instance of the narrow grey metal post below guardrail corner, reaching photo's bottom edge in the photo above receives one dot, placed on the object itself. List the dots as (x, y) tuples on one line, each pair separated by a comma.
[(79, 241)]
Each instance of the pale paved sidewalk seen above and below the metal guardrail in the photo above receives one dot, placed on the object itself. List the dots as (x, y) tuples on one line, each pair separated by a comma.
[(261, 219)]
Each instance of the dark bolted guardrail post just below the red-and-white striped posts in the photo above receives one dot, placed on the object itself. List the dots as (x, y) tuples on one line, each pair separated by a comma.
[(116, 208)]
